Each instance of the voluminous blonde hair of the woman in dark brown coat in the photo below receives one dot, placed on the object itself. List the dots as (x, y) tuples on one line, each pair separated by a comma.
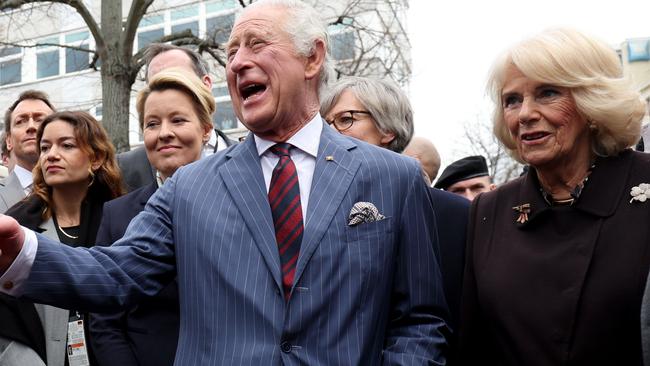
[(590, 70)]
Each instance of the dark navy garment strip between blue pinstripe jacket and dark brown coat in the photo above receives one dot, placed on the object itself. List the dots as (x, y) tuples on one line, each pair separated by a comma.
[(451, 212)]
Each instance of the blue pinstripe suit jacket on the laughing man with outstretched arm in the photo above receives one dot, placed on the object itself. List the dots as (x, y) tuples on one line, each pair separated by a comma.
[(363, 295)]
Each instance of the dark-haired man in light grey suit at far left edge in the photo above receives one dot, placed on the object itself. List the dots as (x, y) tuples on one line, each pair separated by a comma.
[(22, 119)]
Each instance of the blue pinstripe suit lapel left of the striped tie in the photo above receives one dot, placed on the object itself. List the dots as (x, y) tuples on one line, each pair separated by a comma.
[(242, 175)]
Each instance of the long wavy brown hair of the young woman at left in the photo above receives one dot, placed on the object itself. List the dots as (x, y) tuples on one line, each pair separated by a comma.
[(93, 140)]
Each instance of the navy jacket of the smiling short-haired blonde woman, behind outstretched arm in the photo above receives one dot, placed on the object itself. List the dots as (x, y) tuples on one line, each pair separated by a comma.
[(147, 333)]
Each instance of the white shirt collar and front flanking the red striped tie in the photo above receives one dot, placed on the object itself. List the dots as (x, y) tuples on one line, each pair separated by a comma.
[(306, 141)]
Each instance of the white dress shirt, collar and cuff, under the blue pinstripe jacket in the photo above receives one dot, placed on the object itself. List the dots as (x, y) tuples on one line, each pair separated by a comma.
[(306, 141)]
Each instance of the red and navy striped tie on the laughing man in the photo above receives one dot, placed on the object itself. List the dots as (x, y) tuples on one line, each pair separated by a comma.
[(284, 197)]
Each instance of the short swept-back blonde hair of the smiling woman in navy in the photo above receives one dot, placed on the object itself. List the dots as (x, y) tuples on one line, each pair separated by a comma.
[(185, 82)]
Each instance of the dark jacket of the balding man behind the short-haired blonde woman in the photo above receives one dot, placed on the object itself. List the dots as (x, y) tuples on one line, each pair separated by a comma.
[(137, 171)]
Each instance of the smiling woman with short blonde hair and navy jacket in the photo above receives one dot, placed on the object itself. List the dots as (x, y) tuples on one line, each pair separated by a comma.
[(175, 112)]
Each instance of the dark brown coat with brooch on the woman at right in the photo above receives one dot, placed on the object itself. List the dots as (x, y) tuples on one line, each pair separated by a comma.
[(564, 287)]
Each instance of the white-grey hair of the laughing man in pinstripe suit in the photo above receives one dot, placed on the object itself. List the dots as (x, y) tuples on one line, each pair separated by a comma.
[(305, 26)]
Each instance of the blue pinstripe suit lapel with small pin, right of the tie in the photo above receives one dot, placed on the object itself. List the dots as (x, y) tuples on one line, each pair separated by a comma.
[(331, 181)]
